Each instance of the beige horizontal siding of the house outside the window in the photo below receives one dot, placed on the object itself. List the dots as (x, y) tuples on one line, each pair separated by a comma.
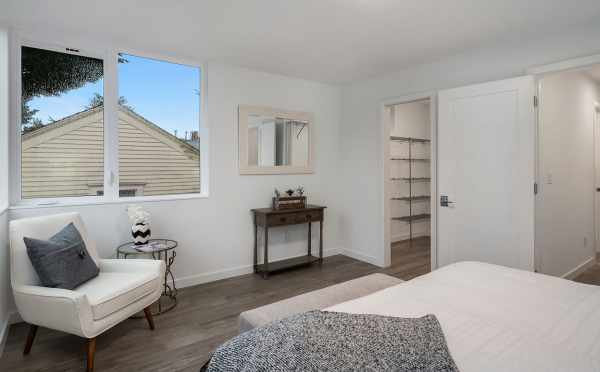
[(66, 158)]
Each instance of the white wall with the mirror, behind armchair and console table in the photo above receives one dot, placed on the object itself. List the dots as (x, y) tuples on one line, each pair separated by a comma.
[(215, 234)]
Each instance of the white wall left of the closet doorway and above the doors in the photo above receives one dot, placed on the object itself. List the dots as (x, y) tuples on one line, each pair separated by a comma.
[(360, 139)]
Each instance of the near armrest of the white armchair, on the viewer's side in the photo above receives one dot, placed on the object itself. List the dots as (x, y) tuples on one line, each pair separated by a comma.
[(54, 308)]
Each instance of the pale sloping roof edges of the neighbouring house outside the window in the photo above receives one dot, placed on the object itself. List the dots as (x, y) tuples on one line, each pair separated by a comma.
[(76, 118)]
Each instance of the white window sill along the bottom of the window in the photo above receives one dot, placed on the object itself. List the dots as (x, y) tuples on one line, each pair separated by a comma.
[(85, 201)]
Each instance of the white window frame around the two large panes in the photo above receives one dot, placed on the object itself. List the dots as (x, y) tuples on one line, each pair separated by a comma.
[(109, 56)]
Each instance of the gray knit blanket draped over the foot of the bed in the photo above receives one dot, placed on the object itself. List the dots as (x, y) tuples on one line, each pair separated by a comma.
[(330, 341)]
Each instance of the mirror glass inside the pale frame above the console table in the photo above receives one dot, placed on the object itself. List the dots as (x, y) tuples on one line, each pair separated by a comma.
[(275, 141)]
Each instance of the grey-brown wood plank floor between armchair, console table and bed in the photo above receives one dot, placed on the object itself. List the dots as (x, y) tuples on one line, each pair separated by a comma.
[(205, 317)]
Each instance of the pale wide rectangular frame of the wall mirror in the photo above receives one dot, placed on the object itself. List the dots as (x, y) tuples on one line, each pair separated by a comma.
[(244, 111)]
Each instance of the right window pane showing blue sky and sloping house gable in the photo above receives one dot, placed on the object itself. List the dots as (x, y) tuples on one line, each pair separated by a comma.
[(159, 119)]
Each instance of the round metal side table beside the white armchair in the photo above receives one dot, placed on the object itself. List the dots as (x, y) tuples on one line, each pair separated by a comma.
[(160, 249)]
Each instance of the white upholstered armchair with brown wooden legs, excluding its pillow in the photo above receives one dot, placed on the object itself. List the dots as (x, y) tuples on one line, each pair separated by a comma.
[(123, 287)]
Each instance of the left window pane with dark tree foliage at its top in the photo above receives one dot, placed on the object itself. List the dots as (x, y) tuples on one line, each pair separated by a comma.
[(62, 124)]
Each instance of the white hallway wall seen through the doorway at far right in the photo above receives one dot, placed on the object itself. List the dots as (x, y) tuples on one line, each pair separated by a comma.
[(565, 204)]
